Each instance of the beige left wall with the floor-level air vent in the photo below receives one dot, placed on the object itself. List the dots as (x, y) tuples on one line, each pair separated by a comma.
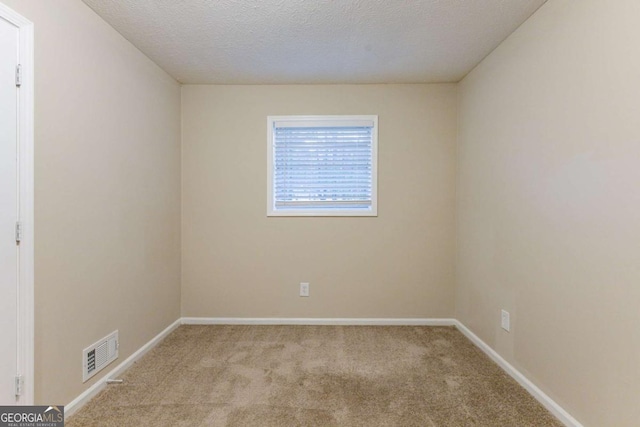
[(107, 193)]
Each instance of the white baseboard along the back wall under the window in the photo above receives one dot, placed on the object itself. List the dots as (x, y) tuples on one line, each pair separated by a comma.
[(315, 321)]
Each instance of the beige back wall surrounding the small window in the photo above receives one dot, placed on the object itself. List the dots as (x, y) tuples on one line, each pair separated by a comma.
[(238, 262)]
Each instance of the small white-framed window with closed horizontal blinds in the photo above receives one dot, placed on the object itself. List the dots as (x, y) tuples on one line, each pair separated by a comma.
[(322, 165)]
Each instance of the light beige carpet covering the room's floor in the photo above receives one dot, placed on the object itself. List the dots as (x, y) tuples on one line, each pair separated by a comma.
[(314, 376)]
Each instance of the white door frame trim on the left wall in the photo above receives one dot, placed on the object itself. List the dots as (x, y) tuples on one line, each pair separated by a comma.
[(26, 314)]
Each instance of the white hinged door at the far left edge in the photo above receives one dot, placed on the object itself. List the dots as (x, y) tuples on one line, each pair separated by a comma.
[(8, 211)]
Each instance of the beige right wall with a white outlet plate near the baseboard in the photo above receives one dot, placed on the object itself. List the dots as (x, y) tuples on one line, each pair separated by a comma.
[(549, 203)]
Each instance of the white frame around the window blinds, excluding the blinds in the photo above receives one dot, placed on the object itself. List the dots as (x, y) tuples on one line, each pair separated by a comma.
[(272, 211)]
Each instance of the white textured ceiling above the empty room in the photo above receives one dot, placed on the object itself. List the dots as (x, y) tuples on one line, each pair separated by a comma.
[(315, 41)]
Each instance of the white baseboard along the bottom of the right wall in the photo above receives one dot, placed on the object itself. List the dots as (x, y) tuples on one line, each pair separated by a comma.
[(533, 390)]
